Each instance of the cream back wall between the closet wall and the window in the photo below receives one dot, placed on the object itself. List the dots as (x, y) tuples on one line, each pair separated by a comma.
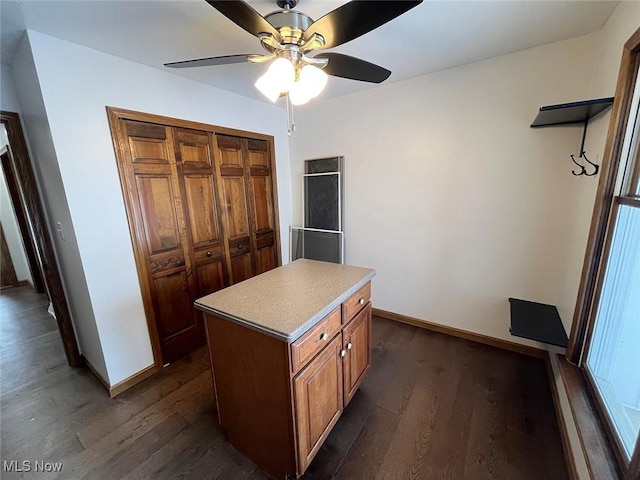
[(450, 195)]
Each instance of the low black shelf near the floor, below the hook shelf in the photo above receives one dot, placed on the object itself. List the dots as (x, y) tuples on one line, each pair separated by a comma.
[(537, 321)]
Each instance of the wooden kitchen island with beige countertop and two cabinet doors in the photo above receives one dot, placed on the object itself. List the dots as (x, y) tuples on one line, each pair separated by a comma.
[(289, 349)]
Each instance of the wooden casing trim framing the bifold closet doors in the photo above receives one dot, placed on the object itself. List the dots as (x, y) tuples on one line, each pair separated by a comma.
[(116, 116)]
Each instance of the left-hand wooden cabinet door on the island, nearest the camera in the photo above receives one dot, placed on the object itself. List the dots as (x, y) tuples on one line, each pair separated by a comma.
[(318, 400)]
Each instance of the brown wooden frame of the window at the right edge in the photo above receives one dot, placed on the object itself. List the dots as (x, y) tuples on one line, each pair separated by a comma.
[(603, 221)]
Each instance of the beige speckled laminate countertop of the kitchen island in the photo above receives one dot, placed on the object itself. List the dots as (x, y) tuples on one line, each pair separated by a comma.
[(287, 301)]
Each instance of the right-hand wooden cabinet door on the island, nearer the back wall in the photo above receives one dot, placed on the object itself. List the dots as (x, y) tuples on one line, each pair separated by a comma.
[(357, 347)]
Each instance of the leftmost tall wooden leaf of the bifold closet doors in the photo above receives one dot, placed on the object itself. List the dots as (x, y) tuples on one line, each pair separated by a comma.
[(152, 176)]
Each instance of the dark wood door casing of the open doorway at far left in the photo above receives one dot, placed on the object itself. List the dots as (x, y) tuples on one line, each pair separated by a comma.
[(25, 177)]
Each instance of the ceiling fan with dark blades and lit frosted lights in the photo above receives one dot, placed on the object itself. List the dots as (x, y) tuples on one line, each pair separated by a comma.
[(290, 36)]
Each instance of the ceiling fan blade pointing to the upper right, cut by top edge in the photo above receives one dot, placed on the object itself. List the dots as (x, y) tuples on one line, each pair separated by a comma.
[(356, 18)]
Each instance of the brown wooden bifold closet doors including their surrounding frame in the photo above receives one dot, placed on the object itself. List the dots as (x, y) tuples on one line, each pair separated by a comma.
[(202, 214)]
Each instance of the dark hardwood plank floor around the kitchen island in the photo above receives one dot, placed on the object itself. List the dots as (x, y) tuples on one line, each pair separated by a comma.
[(433, 407)]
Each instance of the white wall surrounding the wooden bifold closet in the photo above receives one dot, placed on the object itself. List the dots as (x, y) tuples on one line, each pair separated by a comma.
[(75, 98)]
